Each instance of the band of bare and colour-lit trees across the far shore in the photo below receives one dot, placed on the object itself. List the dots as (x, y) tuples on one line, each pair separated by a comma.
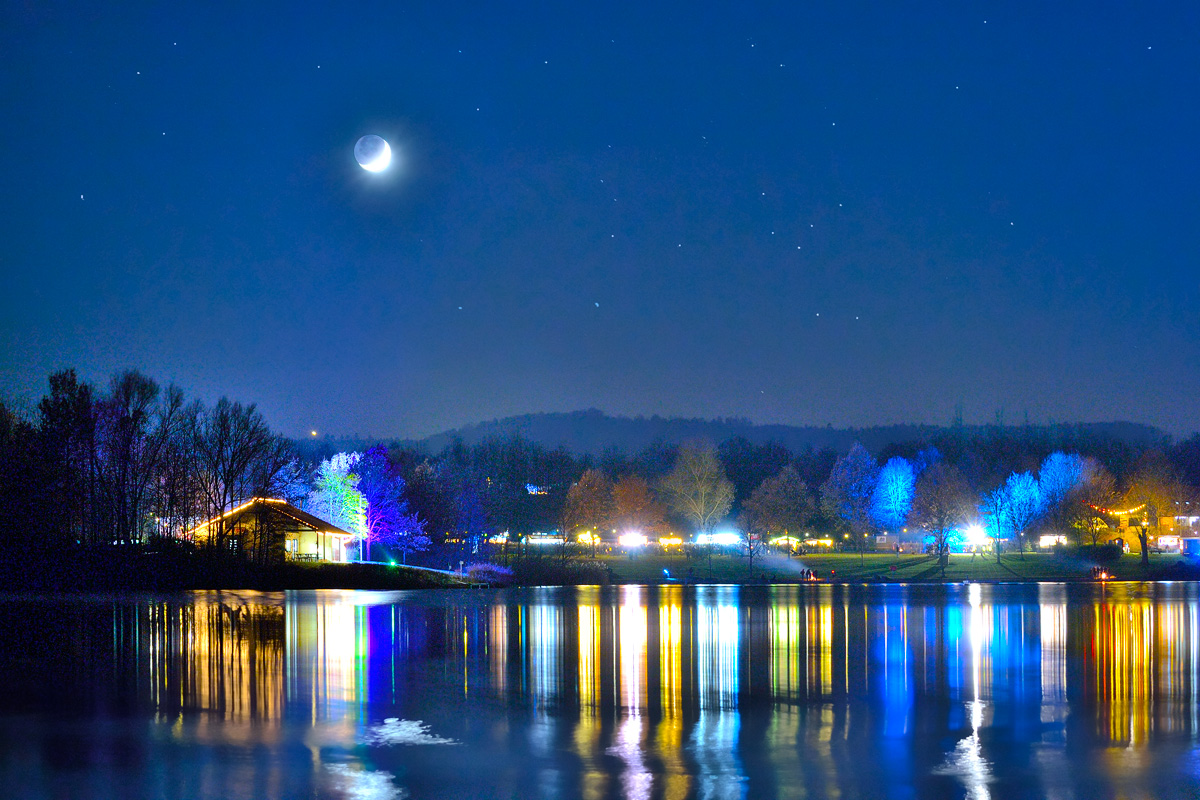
[(136, 464)]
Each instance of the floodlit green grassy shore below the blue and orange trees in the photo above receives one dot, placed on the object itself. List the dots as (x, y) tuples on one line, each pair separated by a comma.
[(649, 568)]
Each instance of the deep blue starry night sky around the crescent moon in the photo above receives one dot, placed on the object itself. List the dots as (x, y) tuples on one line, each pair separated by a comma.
[(838, 213)]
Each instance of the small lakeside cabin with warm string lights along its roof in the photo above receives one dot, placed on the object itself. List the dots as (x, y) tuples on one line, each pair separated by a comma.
[(271, 531)]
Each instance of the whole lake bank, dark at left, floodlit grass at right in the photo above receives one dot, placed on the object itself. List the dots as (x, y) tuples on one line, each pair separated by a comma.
[(134, 569)]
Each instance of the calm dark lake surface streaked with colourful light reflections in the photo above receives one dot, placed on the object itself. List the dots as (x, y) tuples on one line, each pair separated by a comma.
[(965, 691)]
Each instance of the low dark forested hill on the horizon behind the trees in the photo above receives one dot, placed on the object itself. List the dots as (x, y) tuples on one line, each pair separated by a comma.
[(595, 432)]
